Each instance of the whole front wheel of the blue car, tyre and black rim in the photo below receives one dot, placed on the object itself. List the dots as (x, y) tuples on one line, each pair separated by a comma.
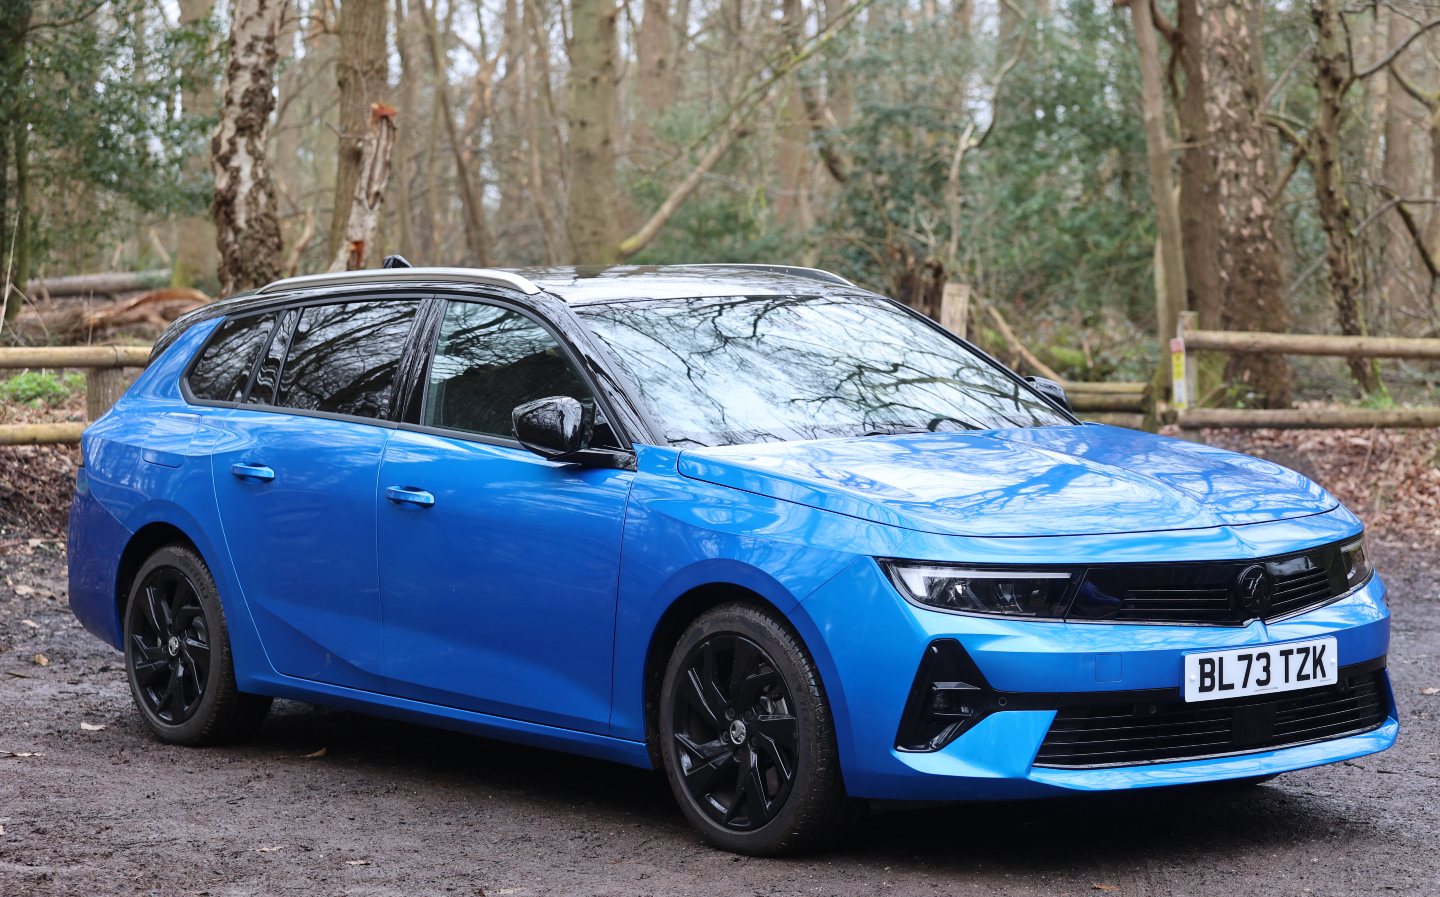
[(748, 738)]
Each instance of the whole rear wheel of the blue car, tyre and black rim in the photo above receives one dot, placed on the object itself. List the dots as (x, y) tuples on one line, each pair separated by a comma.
[(178, 654)]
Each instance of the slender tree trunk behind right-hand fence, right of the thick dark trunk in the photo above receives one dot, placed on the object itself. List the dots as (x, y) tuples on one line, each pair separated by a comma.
[(1331, 78)]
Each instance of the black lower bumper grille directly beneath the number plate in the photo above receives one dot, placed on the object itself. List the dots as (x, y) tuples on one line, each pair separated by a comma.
[(1167, 731)]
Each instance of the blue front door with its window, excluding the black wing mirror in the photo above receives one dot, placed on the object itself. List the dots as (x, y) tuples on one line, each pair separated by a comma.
[(498, 568)]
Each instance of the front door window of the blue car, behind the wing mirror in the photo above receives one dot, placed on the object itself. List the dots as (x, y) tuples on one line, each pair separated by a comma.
[(487, 362)]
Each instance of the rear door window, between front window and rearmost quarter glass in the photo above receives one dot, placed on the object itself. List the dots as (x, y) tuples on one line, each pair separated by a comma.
[(343, 358)]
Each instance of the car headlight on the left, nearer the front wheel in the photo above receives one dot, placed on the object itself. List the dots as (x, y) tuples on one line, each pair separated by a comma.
[(1038, 594)]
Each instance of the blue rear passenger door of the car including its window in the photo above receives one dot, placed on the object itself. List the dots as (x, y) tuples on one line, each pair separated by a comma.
[(296, 483)]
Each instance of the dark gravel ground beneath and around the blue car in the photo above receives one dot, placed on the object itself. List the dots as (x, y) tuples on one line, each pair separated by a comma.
[(394, 808)]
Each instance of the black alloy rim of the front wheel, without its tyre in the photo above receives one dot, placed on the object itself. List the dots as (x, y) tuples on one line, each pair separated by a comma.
[(735, 734)]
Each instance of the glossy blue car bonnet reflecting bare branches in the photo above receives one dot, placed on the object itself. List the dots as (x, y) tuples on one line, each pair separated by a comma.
[(1042, 482)]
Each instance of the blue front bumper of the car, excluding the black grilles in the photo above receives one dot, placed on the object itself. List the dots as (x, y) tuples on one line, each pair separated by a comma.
[(872, 643)]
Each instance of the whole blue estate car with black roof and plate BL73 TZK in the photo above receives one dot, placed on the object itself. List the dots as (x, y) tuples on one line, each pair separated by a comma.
[(775, 535)]
